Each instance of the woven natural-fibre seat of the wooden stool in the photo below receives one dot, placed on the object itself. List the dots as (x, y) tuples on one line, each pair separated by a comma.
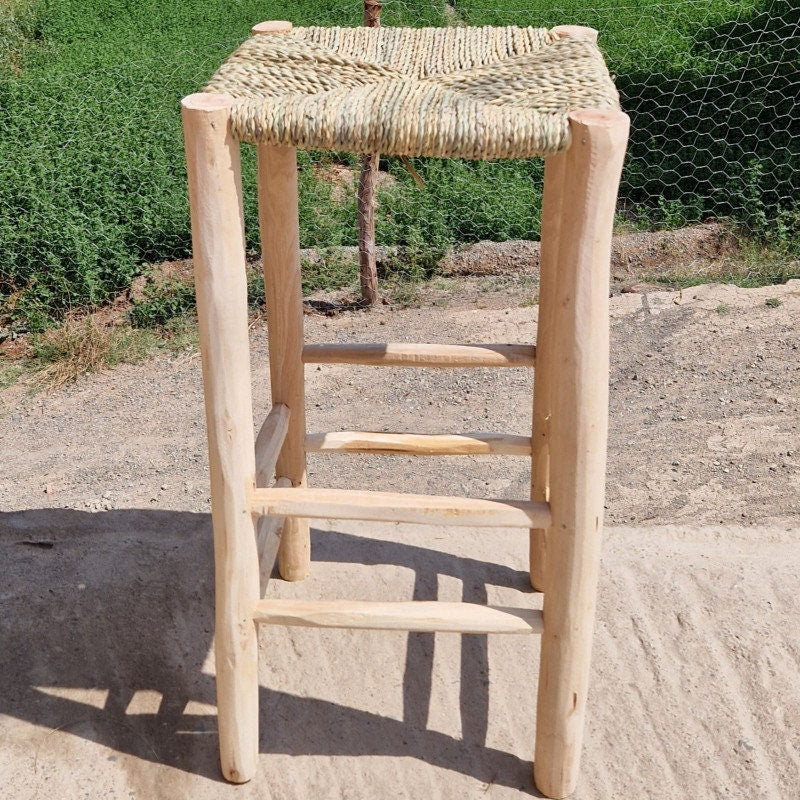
[(477, 93)]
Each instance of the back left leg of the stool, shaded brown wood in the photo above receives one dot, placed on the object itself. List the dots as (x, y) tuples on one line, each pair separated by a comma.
[(280, 248)]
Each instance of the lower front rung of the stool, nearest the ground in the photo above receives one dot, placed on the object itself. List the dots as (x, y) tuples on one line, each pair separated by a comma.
[(419, 616)]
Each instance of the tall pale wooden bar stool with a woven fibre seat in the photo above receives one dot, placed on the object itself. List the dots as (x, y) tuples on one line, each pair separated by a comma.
[(477, 93)]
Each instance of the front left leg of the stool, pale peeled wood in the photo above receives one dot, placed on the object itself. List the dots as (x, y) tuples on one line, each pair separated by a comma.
[(212, 158)]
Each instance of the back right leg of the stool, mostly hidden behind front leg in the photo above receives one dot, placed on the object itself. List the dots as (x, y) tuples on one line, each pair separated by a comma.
[(548, 270)]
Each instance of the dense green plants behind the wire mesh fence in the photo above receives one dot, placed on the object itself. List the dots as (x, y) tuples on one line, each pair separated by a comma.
[(92, 179)]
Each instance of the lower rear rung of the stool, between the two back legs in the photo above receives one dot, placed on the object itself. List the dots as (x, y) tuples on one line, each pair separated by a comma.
[(419, 444)]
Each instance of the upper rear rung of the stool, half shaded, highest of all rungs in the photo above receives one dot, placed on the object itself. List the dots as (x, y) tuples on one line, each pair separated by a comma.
[(407, 354)]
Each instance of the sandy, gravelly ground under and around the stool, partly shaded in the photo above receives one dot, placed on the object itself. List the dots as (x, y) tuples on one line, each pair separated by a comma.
[(106, 680)]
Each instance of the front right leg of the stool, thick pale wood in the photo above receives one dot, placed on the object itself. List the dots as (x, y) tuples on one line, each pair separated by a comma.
[(577, 433)]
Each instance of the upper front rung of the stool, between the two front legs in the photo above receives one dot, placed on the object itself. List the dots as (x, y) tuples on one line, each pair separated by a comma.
[(420, 509)]
